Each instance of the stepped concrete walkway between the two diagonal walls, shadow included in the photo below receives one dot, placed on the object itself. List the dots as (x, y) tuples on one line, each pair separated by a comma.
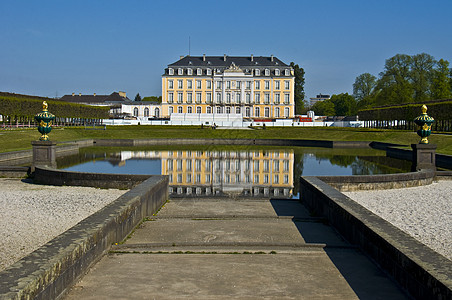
[(235, 249)]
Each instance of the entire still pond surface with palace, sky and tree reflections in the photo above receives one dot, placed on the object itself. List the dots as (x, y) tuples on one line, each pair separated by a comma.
[(233, 170)]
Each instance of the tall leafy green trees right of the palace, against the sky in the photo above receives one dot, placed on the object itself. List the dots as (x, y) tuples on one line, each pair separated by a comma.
[(405, 79)]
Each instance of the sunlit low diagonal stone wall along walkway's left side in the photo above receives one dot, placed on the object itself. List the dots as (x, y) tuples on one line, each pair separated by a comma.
[(50, 270)]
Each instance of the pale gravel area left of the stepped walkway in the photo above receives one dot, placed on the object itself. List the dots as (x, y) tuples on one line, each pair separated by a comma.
[(31, 215)]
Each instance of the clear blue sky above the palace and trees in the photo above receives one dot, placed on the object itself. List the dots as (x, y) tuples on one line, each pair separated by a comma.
[(50, 48)]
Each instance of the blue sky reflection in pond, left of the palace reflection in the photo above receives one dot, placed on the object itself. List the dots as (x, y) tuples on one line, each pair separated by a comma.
[(131, 166)]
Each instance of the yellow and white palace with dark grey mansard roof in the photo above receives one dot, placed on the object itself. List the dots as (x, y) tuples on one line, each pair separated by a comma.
[(253, 87)]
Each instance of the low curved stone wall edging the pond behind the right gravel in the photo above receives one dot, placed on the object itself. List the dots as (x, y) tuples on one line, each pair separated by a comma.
[(378, 182)]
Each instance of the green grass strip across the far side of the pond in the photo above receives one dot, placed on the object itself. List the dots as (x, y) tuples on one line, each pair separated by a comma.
[(19, 139)]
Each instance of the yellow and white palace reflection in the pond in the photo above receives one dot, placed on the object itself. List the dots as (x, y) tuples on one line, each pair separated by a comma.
[(248, 173)]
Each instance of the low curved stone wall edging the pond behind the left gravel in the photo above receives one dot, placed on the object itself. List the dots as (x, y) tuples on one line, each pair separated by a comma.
[(50, 176)]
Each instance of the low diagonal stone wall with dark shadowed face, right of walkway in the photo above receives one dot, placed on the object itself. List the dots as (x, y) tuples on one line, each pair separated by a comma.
[(421, 271)]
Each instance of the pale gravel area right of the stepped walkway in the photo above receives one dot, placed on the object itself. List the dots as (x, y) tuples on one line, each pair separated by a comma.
[(423, 212)]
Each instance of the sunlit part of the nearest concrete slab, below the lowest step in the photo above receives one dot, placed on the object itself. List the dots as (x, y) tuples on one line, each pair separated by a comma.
[(218, 276)]
